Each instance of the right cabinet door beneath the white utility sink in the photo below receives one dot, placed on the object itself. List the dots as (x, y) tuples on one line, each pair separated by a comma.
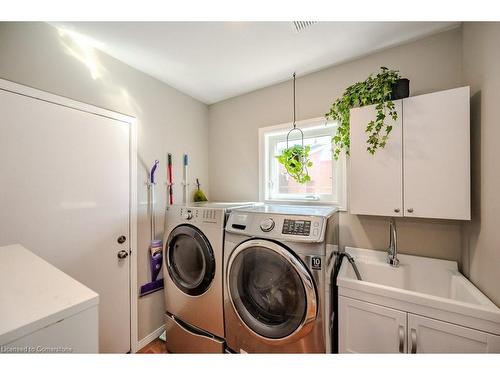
[(427, 335)]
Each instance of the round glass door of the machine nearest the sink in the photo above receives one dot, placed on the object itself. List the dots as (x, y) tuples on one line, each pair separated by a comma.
[(271, 290)]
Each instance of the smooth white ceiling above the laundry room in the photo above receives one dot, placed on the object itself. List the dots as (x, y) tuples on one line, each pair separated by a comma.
[(213, 61)]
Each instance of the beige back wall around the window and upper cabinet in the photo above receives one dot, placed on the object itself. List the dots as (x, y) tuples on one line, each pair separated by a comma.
[(431, 64)]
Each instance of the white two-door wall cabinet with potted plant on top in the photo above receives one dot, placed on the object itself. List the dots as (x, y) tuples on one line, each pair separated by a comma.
[(424, 170)]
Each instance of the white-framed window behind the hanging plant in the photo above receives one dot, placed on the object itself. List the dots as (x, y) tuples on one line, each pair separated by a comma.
[(327, 183)]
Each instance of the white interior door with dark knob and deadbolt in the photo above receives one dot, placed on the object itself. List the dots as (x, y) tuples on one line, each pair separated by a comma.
[(64, 194)]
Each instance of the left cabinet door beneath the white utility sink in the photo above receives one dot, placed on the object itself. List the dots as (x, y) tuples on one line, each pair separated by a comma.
[(369, 328)]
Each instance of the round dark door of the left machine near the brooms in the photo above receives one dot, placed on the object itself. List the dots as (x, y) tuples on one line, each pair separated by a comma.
[(191, 261)]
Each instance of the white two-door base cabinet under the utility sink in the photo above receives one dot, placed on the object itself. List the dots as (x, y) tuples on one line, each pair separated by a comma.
[(369, 328)]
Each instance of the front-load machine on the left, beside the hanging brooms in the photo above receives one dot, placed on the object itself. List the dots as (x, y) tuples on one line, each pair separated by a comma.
[(192, 269)]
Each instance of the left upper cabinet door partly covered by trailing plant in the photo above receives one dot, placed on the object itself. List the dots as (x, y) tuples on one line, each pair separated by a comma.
[(375, 180)]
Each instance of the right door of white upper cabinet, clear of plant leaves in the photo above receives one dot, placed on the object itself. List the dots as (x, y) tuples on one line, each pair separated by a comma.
[(436, 153)]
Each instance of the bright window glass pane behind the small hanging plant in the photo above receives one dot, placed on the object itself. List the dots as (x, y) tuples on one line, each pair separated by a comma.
[(321, 172)]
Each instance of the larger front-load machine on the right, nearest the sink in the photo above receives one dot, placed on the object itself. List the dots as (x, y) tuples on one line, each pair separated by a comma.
[(277, 265)]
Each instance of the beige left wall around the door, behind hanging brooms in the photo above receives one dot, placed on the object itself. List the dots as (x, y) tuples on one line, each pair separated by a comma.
[(35, 54)]
